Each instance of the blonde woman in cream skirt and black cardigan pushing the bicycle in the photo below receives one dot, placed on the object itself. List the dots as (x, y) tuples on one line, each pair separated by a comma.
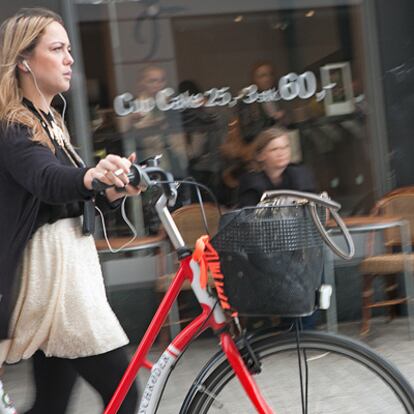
[(53, 304)]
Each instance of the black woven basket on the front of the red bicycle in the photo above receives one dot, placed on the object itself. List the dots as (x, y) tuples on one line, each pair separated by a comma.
[(271, 257)]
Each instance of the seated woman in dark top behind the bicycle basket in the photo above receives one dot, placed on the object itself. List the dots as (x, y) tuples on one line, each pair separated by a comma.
[(272, 169)]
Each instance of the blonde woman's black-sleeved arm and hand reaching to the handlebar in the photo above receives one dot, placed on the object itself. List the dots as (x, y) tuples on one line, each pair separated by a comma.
[(34, 167)]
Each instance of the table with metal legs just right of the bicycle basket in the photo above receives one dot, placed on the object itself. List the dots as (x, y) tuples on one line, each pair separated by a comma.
[(362, 224)]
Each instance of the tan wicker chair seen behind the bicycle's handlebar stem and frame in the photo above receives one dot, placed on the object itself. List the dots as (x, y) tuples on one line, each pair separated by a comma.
[(190, 223)]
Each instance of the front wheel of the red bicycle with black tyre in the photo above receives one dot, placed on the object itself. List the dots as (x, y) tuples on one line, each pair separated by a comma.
[(344, 376)]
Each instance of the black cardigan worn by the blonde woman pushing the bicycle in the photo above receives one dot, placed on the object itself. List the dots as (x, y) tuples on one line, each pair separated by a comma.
[(30, 174)]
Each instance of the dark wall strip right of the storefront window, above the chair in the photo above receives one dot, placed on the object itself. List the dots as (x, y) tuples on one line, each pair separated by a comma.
[(396, 43)]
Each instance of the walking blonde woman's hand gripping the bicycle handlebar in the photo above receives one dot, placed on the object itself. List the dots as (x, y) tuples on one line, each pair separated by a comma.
[(112, 170)]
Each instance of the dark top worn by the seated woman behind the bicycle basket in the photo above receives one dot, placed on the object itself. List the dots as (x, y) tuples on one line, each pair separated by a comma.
[(254, 184)]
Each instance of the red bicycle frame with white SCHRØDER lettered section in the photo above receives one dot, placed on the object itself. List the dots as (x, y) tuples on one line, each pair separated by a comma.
[(212, 316)]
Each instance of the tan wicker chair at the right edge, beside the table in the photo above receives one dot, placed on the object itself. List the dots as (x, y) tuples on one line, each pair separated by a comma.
[(399, 203)]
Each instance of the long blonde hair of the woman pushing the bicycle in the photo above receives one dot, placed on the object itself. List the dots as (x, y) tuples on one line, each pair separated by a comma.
[(19, 35)]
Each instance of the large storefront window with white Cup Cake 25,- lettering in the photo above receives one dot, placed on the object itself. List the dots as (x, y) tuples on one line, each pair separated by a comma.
[(198, 86)]
